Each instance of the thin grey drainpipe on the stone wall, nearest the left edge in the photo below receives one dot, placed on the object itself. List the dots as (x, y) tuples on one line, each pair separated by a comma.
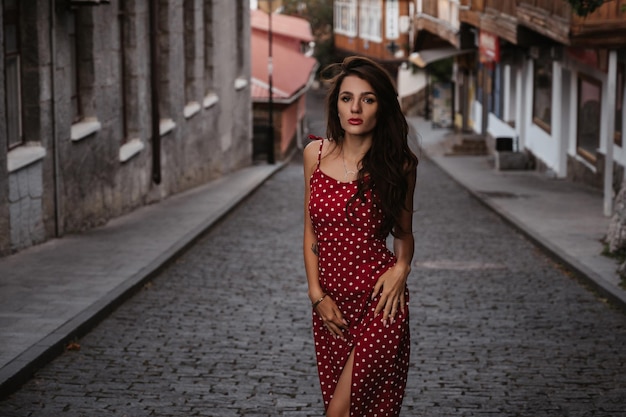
[(54, 142)]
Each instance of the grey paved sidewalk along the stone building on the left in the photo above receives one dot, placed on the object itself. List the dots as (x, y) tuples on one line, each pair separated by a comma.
[(53, 293)]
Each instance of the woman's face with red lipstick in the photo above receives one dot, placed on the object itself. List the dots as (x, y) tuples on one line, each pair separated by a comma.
[(357, 106)]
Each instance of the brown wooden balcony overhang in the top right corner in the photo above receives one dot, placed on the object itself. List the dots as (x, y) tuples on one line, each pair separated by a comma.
[(604, 28)]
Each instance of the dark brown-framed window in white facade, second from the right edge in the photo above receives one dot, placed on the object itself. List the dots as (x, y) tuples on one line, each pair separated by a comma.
[(588, 133)]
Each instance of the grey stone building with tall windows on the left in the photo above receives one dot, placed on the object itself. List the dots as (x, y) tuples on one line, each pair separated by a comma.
[(110, 105)]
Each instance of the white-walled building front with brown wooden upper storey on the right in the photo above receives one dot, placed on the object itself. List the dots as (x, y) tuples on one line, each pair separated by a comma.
[(536, 72)]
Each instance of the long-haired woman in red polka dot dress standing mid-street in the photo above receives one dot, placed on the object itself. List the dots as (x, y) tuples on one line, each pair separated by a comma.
[(359, 187)]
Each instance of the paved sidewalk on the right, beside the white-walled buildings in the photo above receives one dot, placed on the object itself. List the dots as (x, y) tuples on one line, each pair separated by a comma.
[(564, 218)]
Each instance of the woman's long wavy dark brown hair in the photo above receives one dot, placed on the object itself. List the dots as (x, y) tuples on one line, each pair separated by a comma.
[(389, 161)]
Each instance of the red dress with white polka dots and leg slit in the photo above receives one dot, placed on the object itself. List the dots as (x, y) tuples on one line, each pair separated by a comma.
[(352, 257)]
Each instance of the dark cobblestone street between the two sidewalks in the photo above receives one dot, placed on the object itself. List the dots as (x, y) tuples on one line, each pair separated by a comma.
[(498, 329)]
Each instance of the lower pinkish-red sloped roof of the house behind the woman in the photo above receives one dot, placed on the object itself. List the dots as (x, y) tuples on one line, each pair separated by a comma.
[(292, 71)]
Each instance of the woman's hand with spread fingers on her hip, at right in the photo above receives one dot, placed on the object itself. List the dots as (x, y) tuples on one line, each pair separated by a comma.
[(391, 287)]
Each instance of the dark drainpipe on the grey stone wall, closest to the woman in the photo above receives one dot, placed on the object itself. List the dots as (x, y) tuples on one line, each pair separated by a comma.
[(154, 89)]
